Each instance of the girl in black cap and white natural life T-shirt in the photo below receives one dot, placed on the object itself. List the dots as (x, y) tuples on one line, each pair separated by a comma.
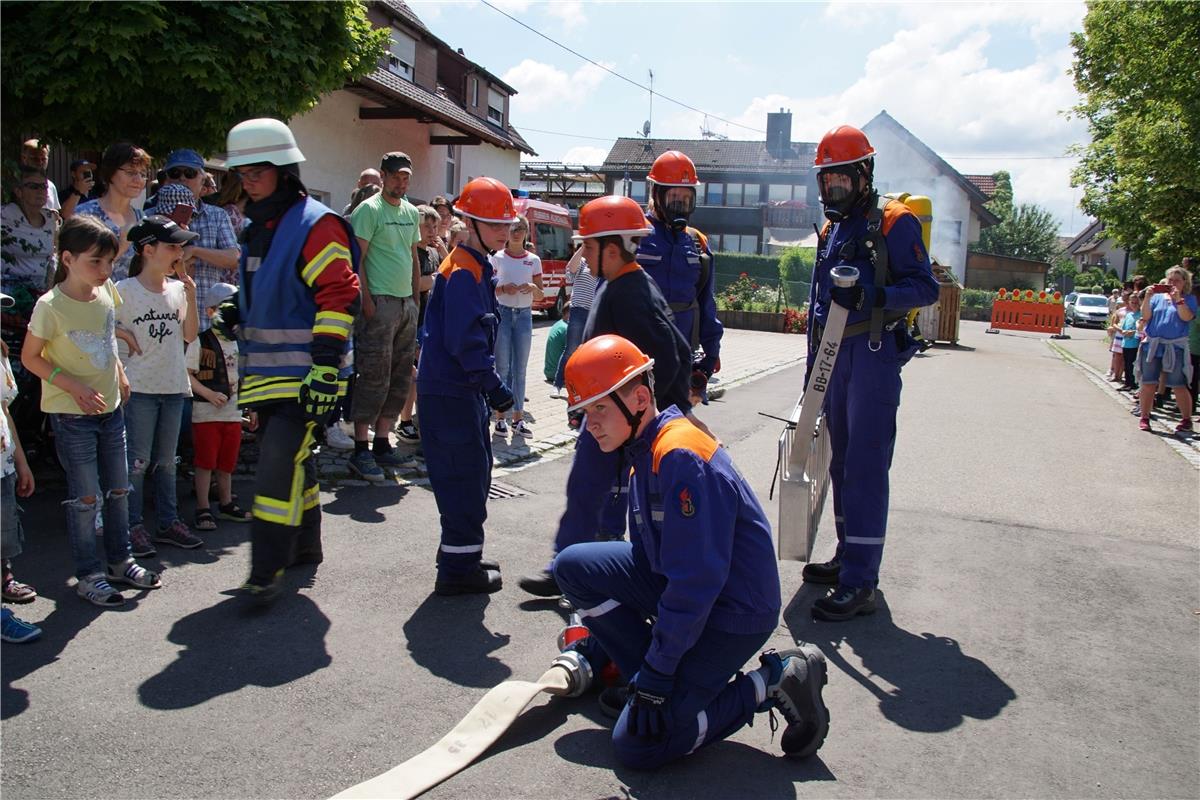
[(155, 321)]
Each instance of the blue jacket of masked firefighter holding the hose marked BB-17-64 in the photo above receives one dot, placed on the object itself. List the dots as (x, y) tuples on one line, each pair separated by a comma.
[(913, 281)]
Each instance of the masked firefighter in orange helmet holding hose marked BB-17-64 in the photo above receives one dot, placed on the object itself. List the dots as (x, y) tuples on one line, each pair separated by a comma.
[(883, 239)]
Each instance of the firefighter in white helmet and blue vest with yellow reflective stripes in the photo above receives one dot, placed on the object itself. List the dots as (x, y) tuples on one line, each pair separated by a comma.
[(293, 315)]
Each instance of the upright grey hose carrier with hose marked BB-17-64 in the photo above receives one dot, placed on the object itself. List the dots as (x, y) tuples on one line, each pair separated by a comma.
[(805, 452)]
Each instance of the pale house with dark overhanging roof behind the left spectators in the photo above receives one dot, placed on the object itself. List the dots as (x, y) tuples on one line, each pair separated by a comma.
[(425, 99)]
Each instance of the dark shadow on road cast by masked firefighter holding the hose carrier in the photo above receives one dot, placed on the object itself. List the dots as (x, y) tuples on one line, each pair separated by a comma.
[(937, 685)]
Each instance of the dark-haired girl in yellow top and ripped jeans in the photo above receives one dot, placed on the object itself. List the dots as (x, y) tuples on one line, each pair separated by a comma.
[(71, 346)]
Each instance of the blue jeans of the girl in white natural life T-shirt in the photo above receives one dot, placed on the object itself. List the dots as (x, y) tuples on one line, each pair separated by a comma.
[(152, 423)]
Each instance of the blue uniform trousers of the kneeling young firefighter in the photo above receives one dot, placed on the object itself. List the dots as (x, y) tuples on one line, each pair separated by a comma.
[(616, 593)]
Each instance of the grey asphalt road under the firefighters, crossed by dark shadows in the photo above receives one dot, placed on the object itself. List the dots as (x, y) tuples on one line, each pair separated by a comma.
[(1039, 633)]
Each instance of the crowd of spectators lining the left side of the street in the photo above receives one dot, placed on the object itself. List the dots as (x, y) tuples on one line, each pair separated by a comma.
[(111, 287)]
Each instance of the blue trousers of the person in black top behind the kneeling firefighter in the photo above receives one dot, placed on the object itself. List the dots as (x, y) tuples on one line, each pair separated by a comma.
[(597, 495)]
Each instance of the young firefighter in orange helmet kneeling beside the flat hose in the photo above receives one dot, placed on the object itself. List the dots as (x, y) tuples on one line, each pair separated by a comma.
[(700, 563)]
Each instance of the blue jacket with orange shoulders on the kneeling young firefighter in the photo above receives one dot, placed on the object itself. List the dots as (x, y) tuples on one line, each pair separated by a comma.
[(700, 526)]
